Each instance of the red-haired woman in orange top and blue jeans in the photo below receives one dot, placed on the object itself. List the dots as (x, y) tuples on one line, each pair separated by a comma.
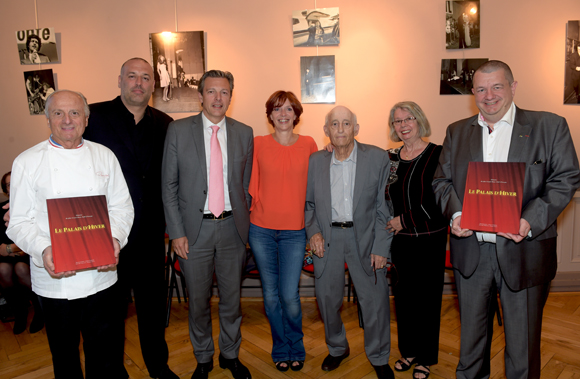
[(277, 235)]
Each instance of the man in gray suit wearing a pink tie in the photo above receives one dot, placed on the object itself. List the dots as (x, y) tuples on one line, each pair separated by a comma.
[(207, 164)]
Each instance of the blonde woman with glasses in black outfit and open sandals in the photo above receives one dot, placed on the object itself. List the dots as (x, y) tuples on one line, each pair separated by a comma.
[(419, 243)]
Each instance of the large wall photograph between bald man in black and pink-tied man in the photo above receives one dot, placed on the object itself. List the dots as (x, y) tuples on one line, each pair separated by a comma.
[(178, 64)]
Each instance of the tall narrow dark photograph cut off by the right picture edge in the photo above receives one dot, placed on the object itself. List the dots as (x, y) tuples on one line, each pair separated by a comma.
[(572, 73)]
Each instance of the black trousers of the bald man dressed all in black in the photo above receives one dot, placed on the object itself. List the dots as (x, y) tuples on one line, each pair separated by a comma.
[(142, 269)]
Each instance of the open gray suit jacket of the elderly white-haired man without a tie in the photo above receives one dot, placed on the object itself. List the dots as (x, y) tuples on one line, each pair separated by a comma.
[(370, 211)]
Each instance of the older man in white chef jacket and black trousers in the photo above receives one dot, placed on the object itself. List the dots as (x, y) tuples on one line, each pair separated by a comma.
[(87, 301)]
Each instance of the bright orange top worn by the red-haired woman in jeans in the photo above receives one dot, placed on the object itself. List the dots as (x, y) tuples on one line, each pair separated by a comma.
[(278, 182)]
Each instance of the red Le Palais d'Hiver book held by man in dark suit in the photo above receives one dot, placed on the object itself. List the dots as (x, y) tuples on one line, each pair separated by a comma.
[(493, 197)]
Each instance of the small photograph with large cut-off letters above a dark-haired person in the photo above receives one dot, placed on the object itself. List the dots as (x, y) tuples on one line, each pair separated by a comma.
[(37, 46)]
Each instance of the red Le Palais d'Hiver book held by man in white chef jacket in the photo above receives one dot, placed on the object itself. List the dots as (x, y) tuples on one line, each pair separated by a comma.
[(80, 233)]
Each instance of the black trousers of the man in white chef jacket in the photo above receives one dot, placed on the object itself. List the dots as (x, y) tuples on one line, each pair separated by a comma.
[(99, 318)]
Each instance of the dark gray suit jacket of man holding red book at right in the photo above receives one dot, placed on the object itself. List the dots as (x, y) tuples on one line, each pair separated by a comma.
[(541, 140)]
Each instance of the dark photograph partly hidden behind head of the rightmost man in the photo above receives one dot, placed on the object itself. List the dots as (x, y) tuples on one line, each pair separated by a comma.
[(457, 75)]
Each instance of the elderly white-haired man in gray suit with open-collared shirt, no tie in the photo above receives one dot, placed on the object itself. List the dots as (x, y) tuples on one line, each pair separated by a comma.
[(346, 216)]
